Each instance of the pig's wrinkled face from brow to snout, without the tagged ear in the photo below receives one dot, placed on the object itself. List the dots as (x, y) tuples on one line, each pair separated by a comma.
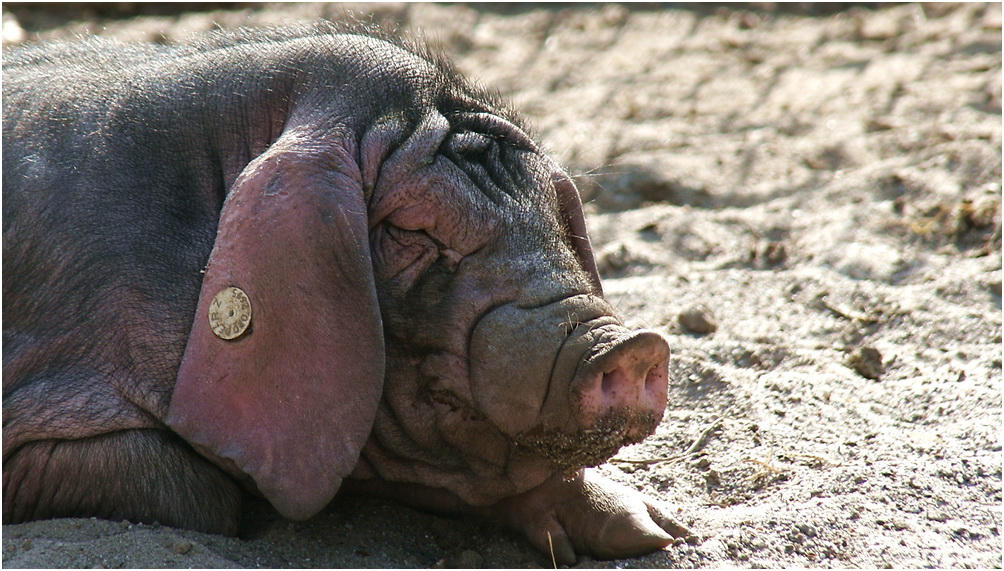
[(505, 362)]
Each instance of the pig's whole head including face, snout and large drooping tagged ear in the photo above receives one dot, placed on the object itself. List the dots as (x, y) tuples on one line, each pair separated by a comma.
[(425, 306)]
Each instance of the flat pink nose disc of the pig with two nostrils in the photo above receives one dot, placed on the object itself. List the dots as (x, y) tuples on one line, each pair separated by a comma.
[(629, 375)]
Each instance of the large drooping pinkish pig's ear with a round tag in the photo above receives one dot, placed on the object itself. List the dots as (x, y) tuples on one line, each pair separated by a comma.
[(285, 366)]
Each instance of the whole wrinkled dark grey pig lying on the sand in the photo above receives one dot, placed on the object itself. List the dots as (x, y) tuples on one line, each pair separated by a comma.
[(428, 324)]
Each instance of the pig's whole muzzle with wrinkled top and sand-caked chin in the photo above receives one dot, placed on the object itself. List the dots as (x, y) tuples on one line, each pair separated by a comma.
[(568, 381)]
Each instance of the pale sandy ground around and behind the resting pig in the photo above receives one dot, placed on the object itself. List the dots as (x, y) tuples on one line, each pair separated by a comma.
[(809, 204)]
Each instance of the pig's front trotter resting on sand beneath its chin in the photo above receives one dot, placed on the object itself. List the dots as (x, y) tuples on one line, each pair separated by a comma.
[(590, 515)]
